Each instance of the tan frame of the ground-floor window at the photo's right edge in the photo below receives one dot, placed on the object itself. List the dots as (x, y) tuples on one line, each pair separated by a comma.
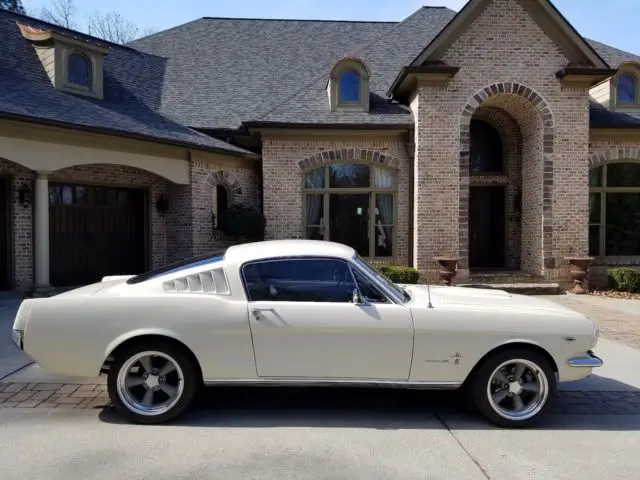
[(602, 190)]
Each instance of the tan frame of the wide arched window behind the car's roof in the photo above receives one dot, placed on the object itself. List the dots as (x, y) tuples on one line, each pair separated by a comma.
[(326, 191)]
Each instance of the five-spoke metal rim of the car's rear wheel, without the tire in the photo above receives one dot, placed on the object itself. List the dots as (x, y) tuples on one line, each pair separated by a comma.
[(150, 383)]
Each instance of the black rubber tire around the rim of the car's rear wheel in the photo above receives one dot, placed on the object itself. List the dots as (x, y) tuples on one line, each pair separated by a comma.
[(191, 380)]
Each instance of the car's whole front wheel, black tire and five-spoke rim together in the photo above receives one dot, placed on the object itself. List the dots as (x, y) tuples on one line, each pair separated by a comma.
[(515, 388)]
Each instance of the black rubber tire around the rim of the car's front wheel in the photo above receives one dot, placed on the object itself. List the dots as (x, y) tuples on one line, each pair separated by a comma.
[(482, 378)]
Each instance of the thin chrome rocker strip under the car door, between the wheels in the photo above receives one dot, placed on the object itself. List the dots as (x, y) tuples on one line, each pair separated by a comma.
[(307, 382)]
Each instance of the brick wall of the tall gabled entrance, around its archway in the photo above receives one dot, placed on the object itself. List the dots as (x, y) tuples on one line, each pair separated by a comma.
[(555, 224)]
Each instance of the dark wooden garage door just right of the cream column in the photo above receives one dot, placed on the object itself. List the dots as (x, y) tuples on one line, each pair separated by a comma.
[(95, 231)]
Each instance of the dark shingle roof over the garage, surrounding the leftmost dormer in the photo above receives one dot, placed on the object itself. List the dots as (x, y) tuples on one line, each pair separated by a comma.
[(133, 83)]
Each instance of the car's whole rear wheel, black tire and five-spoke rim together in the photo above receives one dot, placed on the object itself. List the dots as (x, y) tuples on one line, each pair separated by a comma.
[(152, 382)]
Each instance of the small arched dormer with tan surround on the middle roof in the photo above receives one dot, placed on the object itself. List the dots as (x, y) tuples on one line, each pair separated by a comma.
[(348, 86)]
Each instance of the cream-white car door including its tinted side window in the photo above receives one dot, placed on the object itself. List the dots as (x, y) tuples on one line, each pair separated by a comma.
[(304, 323)]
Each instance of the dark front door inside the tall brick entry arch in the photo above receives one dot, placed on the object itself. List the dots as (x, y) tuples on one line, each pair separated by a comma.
[(487, 227)]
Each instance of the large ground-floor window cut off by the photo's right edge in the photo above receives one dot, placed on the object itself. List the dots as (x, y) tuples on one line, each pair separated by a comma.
[(614, 210)]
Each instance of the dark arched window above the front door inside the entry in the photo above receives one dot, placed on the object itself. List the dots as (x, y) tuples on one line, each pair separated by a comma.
[(486, 150)]
